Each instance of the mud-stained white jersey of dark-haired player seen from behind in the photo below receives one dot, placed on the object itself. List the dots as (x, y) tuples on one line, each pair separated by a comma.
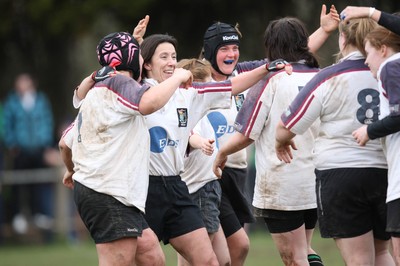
[(278, 185)]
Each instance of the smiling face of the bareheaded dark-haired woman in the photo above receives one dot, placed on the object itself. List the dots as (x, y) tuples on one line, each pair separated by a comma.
[(162, 63)]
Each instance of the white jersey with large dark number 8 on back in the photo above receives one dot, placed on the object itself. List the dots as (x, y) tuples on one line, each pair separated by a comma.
[(344, 97)]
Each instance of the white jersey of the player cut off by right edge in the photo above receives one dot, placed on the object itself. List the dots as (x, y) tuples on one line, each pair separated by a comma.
[(389, 85)]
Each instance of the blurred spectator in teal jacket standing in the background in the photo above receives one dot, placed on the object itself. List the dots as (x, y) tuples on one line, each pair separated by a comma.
[(28, 133)]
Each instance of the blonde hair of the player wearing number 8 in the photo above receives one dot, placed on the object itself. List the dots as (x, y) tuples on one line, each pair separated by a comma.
[(355, 32)]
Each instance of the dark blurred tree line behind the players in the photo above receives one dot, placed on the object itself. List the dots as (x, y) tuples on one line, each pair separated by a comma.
[(56, 40)]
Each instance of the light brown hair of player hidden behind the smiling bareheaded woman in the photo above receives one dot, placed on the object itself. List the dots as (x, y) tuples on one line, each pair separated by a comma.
[(200, 68)]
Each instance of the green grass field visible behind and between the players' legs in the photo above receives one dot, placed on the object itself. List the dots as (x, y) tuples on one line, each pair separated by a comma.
[(262, 252)]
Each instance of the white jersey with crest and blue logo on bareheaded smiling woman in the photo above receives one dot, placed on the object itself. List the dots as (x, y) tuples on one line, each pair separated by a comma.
[(170, 126)]
